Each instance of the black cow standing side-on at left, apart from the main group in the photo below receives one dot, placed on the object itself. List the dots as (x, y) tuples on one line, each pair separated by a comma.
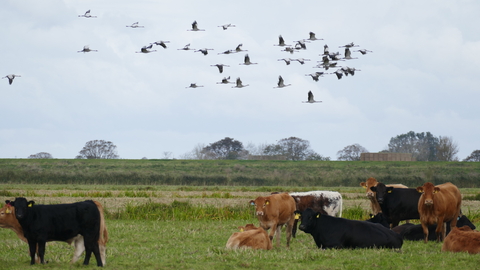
[(42, 223)]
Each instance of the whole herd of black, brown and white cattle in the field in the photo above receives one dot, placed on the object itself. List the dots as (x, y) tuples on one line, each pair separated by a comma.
[(437, 208)]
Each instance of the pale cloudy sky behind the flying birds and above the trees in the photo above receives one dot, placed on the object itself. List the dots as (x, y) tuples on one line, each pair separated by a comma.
[(421, 75)]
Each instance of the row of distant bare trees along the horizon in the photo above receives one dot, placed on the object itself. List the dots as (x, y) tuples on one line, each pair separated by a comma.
[(423, 146)]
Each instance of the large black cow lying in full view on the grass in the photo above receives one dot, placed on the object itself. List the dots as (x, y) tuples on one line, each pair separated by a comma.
[(333, 232)]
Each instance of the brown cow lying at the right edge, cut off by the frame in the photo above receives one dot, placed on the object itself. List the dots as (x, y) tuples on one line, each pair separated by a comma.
[(462, 239)]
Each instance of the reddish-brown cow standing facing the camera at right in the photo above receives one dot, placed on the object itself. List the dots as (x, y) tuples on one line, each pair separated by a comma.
[(438, 204)]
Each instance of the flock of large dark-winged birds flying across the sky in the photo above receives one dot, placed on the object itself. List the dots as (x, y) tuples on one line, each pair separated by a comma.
[(329, 59)]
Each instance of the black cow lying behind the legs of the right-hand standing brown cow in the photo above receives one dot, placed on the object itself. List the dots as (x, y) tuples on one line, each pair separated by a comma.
[(415, 232)]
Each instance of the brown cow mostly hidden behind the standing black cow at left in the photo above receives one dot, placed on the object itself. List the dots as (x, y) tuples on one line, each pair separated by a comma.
[(9, 221)]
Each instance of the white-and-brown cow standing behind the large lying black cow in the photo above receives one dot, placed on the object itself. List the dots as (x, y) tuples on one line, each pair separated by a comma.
[(325, 202)]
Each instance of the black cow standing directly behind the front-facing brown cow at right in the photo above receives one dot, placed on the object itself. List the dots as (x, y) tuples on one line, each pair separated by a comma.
[(397, 204)]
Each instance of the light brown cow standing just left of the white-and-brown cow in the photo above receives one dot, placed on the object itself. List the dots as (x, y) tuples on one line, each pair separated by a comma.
[(273, 212)]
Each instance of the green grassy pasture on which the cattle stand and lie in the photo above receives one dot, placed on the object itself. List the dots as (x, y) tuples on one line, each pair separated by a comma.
[(194, 236)]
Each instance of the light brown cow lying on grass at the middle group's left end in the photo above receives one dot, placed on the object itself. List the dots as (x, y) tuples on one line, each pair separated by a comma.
[(250, 237)]
